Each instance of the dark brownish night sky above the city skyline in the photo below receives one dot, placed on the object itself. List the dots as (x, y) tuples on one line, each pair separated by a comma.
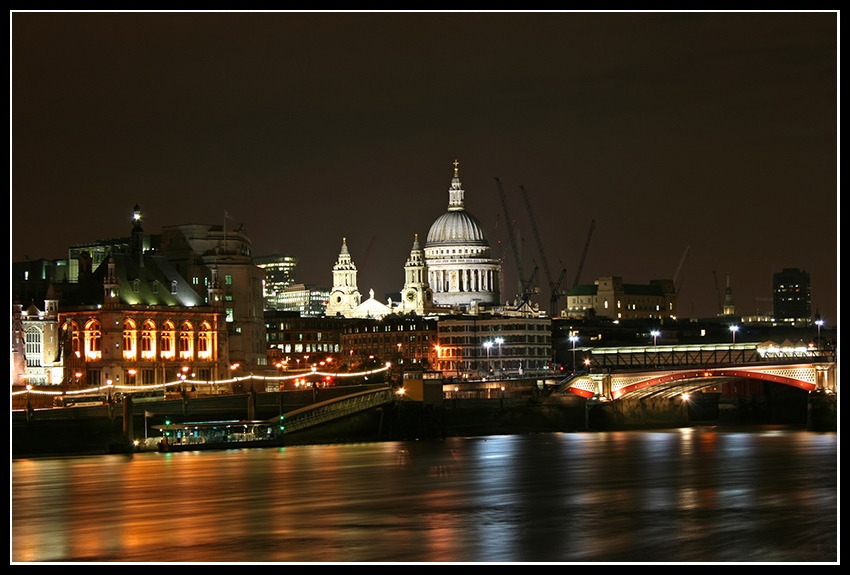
[(713, 134)]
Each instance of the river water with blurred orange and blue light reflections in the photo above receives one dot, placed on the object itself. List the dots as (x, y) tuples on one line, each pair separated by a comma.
[(755, 495)]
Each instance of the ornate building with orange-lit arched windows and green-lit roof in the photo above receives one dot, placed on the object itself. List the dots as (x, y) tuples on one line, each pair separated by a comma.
[(135, 320)]
